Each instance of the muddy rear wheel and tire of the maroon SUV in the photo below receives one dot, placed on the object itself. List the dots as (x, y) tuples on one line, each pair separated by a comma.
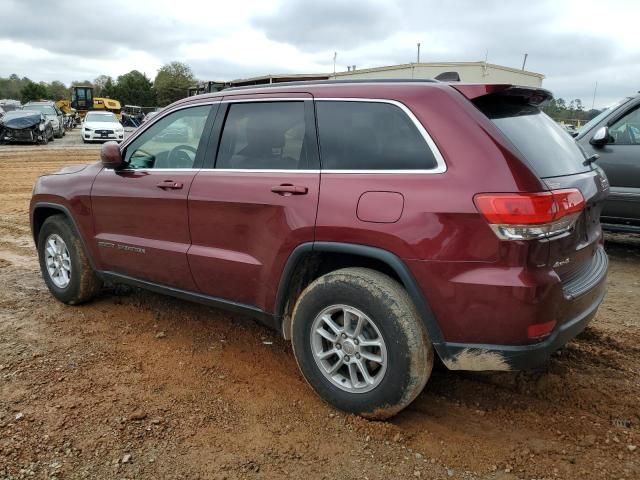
[(405, 356)]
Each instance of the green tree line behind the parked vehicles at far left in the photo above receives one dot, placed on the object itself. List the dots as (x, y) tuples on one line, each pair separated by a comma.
[(134, 88)]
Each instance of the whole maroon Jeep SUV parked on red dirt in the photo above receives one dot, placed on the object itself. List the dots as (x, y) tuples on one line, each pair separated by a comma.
[(372, 223)]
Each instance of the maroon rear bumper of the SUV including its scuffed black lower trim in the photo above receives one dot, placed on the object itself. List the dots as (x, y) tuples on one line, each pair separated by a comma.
[(484, 313)]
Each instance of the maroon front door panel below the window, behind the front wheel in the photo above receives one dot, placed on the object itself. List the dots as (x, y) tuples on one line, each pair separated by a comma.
[(142, 230)]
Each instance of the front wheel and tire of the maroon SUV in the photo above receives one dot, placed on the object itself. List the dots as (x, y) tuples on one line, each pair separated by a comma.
[(83, 284)]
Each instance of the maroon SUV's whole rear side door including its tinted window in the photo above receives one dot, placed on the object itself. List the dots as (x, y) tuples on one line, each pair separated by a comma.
[(257, 200)]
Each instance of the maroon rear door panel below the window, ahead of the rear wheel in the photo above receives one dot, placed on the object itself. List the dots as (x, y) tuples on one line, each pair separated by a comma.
[(243, 233)]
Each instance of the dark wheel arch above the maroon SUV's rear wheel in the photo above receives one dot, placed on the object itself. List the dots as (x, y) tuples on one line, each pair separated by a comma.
[(305, 264)]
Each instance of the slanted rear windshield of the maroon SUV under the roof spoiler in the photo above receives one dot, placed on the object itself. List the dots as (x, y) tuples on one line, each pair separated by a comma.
[(543, 143)]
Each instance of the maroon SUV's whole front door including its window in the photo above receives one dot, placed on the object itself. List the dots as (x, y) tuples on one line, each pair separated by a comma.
[(140, 212)]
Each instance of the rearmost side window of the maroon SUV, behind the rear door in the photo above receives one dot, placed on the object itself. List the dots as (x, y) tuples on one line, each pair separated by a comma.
[(370, 136)]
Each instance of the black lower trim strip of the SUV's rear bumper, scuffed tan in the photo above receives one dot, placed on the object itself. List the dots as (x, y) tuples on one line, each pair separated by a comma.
[(469, 356)]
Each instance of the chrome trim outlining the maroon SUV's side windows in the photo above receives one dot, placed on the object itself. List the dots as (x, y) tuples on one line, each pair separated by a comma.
[(441, 166)]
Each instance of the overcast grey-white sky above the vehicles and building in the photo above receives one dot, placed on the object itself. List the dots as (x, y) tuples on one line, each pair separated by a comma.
[(573, 43)]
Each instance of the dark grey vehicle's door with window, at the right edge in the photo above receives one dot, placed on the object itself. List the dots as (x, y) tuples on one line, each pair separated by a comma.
[(620, 159)]
